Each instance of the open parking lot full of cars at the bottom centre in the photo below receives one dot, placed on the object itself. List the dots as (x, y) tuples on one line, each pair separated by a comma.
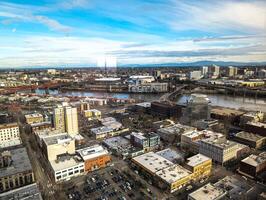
[(105, 184)]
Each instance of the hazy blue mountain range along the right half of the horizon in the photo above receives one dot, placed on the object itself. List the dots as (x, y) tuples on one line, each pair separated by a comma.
[(197, 64)]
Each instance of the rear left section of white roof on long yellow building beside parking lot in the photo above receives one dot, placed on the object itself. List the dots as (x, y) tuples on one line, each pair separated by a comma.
[(152, 162)]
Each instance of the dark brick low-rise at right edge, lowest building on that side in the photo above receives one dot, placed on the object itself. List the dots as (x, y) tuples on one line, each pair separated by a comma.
[(253, 165)]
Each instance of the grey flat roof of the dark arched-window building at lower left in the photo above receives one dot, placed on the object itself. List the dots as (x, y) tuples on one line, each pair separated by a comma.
[(20, 163)]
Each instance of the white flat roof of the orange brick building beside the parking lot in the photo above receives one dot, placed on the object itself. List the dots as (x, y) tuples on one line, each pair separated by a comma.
[(92, 152)]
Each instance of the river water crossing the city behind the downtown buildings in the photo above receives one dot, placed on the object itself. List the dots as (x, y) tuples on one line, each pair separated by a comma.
[(237, 102)]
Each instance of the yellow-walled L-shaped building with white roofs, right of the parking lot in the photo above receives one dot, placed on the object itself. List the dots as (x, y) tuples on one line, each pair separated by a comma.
[(169, 176)]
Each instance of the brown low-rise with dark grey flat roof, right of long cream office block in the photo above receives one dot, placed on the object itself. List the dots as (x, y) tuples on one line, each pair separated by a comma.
[(250, 139)]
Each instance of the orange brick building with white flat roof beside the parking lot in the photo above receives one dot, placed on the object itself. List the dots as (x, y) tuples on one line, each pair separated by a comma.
[(94, 157)]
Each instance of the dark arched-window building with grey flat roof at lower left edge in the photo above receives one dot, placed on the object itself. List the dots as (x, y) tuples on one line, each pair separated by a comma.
[(15, 169)]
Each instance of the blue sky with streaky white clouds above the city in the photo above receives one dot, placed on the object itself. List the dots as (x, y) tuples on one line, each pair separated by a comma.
[(61, 33)]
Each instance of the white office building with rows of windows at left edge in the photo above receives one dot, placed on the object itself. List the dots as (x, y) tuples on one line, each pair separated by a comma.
[(9, 135)]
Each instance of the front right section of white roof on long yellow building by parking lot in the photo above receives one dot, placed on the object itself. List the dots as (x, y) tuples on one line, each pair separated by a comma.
[(173, 173)]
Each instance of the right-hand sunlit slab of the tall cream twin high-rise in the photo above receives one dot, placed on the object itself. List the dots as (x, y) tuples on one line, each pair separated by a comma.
[(71, 120)]
